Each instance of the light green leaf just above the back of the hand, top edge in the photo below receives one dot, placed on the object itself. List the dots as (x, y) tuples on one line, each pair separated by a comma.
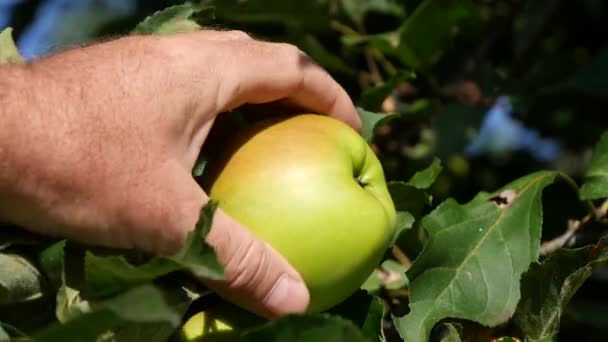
[(180, 18)]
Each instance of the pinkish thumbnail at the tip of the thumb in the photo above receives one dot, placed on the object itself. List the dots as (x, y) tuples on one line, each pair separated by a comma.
[(288, 296)]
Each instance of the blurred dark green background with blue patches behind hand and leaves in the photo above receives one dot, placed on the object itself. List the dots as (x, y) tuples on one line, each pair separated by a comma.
[(495, 89)]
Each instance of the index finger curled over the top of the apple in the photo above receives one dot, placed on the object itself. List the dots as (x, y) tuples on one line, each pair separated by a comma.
[(262, 72)]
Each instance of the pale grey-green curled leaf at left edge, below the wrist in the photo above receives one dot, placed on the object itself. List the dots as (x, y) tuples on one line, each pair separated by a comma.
[(19, 279)]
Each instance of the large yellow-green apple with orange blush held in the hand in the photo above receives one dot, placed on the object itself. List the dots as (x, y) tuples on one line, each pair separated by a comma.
[(311, 187)]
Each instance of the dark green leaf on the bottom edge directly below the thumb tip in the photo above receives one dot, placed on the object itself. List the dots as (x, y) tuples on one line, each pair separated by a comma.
[(307, 328)]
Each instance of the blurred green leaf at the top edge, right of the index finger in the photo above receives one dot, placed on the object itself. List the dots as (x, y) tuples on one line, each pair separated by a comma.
[(418, 44)]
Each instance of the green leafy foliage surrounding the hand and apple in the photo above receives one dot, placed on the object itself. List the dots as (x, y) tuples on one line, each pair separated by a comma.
[(476, 109)]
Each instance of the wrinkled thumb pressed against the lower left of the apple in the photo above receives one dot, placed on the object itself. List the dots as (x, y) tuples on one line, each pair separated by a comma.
[(256, 277)]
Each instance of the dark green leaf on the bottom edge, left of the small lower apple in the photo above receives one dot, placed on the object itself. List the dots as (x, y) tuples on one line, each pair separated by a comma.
[(144, 304)]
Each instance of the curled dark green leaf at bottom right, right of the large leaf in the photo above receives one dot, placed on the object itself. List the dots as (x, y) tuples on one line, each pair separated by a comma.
[(547, 288)]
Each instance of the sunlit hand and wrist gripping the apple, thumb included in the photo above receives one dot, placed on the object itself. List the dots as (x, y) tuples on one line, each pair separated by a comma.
[(97, 145)]
